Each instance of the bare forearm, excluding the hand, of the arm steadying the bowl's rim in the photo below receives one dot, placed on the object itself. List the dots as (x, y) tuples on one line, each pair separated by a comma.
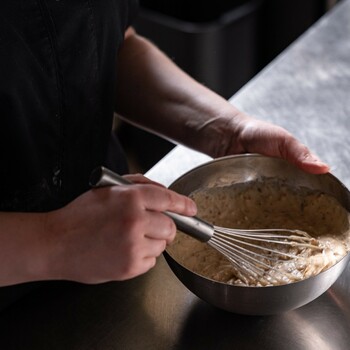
[(154, 92)]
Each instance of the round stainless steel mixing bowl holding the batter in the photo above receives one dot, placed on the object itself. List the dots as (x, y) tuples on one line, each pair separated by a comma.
[(257, 300)]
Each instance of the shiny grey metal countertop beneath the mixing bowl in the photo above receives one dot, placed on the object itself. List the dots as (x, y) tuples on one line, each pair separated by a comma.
[(306, 90)]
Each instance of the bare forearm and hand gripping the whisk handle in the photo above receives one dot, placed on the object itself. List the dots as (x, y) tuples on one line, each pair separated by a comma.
[(111, 233)]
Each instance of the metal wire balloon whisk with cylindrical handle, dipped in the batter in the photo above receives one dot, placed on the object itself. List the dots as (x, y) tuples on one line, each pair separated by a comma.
[(252, 252)]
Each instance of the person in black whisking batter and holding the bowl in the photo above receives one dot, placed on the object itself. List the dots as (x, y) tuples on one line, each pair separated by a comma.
[(66, 68)]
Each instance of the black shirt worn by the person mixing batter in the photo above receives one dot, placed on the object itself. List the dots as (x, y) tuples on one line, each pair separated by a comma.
[(58, 74)]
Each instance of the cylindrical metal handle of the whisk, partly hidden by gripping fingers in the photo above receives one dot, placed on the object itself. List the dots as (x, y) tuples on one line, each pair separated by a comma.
[(191, 225)]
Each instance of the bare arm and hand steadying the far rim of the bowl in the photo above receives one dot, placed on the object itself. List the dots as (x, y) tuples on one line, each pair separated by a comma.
[(155, 94)]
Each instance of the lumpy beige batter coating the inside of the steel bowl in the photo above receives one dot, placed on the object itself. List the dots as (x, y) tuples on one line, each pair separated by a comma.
[(267, 203)]
